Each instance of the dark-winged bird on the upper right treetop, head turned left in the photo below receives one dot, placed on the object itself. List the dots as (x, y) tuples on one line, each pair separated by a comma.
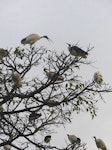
[(76, 51)]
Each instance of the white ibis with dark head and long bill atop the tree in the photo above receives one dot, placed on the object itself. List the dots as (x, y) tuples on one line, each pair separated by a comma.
[(32, 38)]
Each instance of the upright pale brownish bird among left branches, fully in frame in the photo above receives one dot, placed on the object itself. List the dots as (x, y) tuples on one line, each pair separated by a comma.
[(16, 77)]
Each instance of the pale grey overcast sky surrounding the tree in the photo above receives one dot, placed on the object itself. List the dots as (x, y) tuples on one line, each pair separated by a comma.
[(72, 21)]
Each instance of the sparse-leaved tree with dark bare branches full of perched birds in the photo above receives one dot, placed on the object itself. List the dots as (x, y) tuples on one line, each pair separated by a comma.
[(50, 91)]
